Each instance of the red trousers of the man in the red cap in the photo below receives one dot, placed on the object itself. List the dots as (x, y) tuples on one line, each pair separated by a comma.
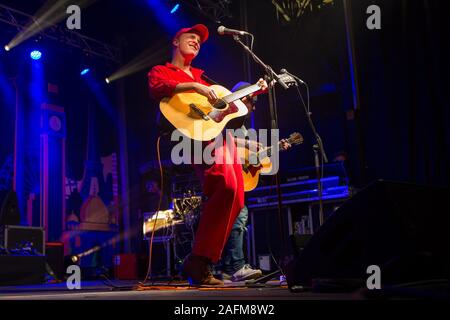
[(224, 188)]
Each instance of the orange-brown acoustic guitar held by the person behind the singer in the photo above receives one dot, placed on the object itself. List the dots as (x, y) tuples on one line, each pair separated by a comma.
[(255, 163)]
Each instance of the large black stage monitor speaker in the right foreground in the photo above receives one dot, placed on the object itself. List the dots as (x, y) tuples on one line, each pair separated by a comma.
[(402, 228)]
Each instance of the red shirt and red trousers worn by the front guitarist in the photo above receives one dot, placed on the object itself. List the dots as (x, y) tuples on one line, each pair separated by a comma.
[(222, 183)]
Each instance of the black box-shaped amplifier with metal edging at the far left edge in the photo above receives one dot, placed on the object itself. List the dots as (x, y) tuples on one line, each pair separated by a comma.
[(23, 240)]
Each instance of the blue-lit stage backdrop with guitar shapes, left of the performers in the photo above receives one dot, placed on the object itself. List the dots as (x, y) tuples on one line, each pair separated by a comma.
[(64, 147)]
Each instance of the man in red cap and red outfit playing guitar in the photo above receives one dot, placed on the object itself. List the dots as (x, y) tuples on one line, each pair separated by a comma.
[(222, 182)]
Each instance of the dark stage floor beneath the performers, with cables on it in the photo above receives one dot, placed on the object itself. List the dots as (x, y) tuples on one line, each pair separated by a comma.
[(128, 290)]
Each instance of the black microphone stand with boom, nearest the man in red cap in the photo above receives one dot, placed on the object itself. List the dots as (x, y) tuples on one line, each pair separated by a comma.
[(270, 76)]
